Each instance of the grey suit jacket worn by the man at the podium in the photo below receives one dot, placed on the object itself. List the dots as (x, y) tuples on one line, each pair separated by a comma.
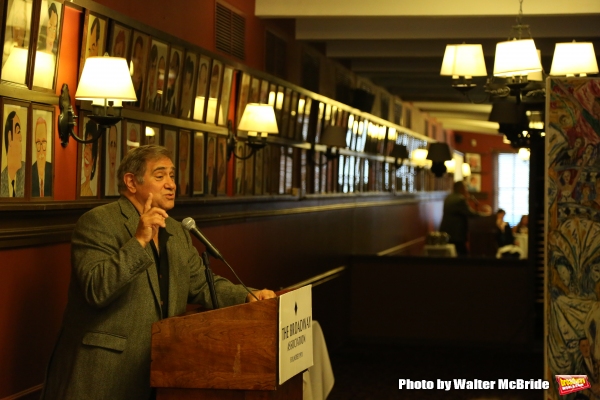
[(103, 351)]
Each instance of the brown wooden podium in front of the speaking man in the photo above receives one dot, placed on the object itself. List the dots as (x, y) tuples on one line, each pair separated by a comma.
[(229, 353)]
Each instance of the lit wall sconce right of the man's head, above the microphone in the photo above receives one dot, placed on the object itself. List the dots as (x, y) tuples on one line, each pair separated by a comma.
[(257, 118)]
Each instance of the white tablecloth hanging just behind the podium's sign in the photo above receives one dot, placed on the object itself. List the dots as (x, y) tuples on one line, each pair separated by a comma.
[(318, 379)]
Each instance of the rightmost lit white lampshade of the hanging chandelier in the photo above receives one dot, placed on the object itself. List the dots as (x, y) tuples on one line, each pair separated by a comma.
[(574, 59)]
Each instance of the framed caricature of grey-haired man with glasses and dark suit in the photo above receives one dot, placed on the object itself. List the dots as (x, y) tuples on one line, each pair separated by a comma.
[(42, 171)]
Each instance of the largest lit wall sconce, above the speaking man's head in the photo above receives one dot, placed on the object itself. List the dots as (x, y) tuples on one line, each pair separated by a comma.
[(107, 83)]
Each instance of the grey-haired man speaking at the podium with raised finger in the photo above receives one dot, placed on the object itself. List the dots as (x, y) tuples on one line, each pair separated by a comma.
[(132, 265)]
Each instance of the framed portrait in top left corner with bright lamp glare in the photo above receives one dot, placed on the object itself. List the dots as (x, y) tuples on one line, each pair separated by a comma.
[(17, 37)]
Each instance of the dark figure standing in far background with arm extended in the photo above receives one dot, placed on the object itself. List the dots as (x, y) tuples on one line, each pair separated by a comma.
[(455, 221)]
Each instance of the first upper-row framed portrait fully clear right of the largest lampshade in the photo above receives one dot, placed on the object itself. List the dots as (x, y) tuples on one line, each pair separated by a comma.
[(157, 73)]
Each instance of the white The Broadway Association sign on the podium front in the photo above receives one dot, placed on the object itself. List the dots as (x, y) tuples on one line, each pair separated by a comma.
[(295, 332)]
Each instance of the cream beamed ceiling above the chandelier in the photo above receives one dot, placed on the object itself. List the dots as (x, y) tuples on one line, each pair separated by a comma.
[(399, 44)]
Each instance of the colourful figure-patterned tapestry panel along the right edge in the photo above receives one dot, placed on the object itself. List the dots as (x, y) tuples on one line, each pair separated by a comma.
[(573, 234)]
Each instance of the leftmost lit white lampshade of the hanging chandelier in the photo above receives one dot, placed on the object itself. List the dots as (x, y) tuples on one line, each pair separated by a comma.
[(463, 60)]
